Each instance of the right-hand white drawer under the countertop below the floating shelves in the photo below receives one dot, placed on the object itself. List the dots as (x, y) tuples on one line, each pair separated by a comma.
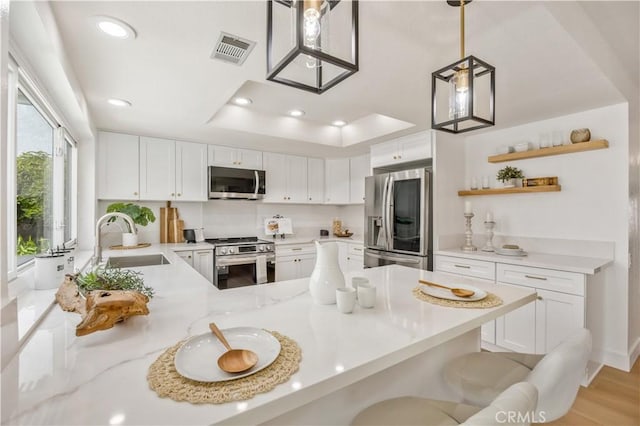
[(545, 279)]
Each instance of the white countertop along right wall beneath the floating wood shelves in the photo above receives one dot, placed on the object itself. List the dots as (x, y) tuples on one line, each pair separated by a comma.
[(583, 265)]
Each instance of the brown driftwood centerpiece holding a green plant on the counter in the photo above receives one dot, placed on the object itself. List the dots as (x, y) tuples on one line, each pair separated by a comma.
[(101, 309)]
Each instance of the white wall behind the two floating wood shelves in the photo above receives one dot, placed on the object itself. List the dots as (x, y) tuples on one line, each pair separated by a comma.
[(593, 204)]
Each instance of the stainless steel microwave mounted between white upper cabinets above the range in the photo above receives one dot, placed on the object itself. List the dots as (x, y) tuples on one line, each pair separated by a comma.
[(230, 183)]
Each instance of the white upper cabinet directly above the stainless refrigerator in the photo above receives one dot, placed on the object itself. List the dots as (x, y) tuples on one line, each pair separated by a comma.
[(403, 150)]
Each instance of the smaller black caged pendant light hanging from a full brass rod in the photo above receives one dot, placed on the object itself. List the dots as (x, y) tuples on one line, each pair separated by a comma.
[(463, 93)]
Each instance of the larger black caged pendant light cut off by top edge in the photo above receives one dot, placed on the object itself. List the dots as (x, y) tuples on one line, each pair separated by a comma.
[(303, 50)]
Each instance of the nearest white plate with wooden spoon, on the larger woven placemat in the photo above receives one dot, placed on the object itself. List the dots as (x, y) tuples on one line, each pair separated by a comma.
[(197, 358)]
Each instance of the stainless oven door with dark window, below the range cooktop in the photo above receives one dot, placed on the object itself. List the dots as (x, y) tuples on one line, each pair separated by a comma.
[(241, 271)]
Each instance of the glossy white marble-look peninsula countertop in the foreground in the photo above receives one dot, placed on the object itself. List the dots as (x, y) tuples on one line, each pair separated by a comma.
[(100, 378)]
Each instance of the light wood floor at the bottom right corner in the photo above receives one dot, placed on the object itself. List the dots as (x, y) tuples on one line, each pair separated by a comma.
[(612, 399)]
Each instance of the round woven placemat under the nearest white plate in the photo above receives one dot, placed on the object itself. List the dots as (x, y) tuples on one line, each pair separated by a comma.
[(167, 383)]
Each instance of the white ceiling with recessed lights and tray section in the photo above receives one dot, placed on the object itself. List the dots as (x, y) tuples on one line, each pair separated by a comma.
[(178, 92)]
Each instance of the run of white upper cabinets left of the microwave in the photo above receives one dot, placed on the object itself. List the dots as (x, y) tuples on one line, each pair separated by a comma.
[(163, 169)]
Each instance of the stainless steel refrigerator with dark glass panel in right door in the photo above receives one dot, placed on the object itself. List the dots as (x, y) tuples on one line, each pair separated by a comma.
[(398, 223)]
